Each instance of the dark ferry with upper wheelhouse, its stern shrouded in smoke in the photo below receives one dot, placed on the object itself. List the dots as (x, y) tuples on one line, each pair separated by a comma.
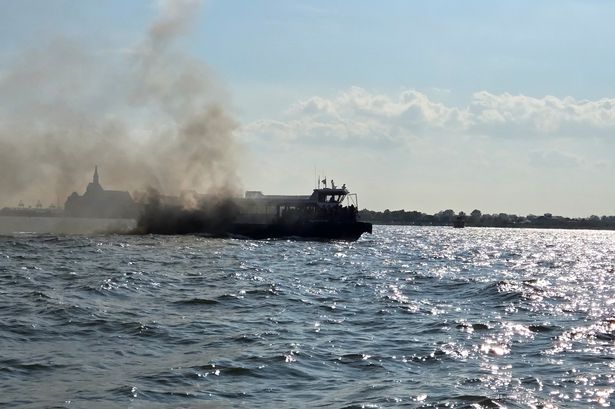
[(329, 213)]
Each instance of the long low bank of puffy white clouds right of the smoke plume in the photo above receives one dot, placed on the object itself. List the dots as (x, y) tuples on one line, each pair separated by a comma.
[(362, 116)]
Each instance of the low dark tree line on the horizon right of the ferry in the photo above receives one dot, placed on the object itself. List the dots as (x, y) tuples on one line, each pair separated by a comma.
[(477, 219)]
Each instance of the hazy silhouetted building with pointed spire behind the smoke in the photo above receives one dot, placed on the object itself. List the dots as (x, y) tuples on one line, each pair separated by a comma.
[(99, 203)]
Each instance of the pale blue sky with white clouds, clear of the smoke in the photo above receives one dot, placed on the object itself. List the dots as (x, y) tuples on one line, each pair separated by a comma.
[(498, 106)]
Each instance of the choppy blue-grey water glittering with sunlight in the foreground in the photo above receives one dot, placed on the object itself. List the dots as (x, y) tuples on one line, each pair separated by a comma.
[(407, 317)]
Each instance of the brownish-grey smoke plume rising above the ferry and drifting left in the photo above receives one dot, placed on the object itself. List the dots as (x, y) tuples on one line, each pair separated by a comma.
[(149, 115)]
